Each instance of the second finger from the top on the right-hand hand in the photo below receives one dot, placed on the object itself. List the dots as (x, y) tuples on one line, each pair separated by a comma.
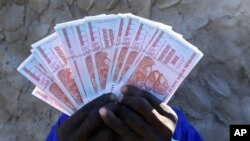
[(147, 111)]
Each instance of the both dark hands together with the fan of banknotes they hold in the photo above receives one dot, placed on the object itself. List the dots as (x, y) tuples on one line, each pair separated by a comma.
[(87, 57)]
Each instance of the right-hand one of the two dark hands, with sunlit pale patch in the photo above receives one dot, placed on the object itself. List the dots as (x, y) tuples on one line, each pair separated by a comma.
[(141, 116)]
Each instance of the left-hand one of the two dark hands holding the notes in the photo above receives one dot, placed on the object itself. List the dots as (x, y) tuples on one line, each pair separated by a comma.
[(86, 123)]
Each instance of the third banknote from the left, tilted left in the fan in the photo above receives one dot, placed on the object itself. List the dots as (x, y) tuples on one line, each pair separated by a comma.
[(51, 54)]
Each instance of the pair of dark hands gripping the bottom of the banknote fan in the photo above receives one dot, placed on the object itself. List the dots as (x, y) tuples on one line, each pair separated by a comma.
[(137, 116)]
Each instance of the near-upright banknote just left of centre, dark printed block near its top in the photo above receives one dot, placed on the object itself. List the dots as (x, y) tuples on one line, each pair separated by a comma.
[(102, 33)]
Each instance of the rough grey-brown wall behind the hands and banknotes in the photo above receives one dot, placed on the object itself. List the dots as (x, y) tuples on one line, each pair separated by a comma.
[(215, 94)]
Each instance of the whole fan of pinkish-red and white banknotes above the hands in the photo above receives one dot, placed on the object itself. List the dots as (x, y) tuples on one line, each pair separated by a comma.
[(89, 57)]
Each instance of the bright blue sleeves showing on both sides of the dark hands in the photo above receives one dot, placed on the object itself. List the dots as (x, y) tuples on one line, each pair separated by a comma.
[(183, 131)]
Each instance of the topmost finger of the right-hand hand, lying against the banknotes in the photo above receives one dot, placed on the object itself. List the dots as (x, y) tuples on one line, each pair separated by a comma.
[(156, 103)]
